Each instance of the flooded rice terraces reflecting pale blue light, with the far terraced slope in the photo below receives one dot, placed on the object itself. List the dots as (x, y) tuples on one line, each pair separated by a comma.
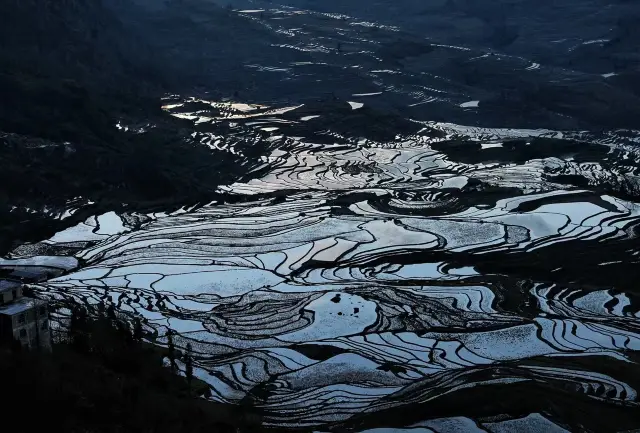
[(442, 236)]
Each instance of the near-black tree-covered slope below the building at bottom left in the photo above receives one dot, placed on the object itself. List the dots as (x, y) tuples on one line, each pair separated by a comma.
[(102, 377)]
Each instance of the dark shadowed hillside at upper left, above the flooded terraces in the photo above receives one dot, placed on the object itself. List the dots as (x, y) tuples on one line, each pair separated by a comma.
[(70, 70)]
